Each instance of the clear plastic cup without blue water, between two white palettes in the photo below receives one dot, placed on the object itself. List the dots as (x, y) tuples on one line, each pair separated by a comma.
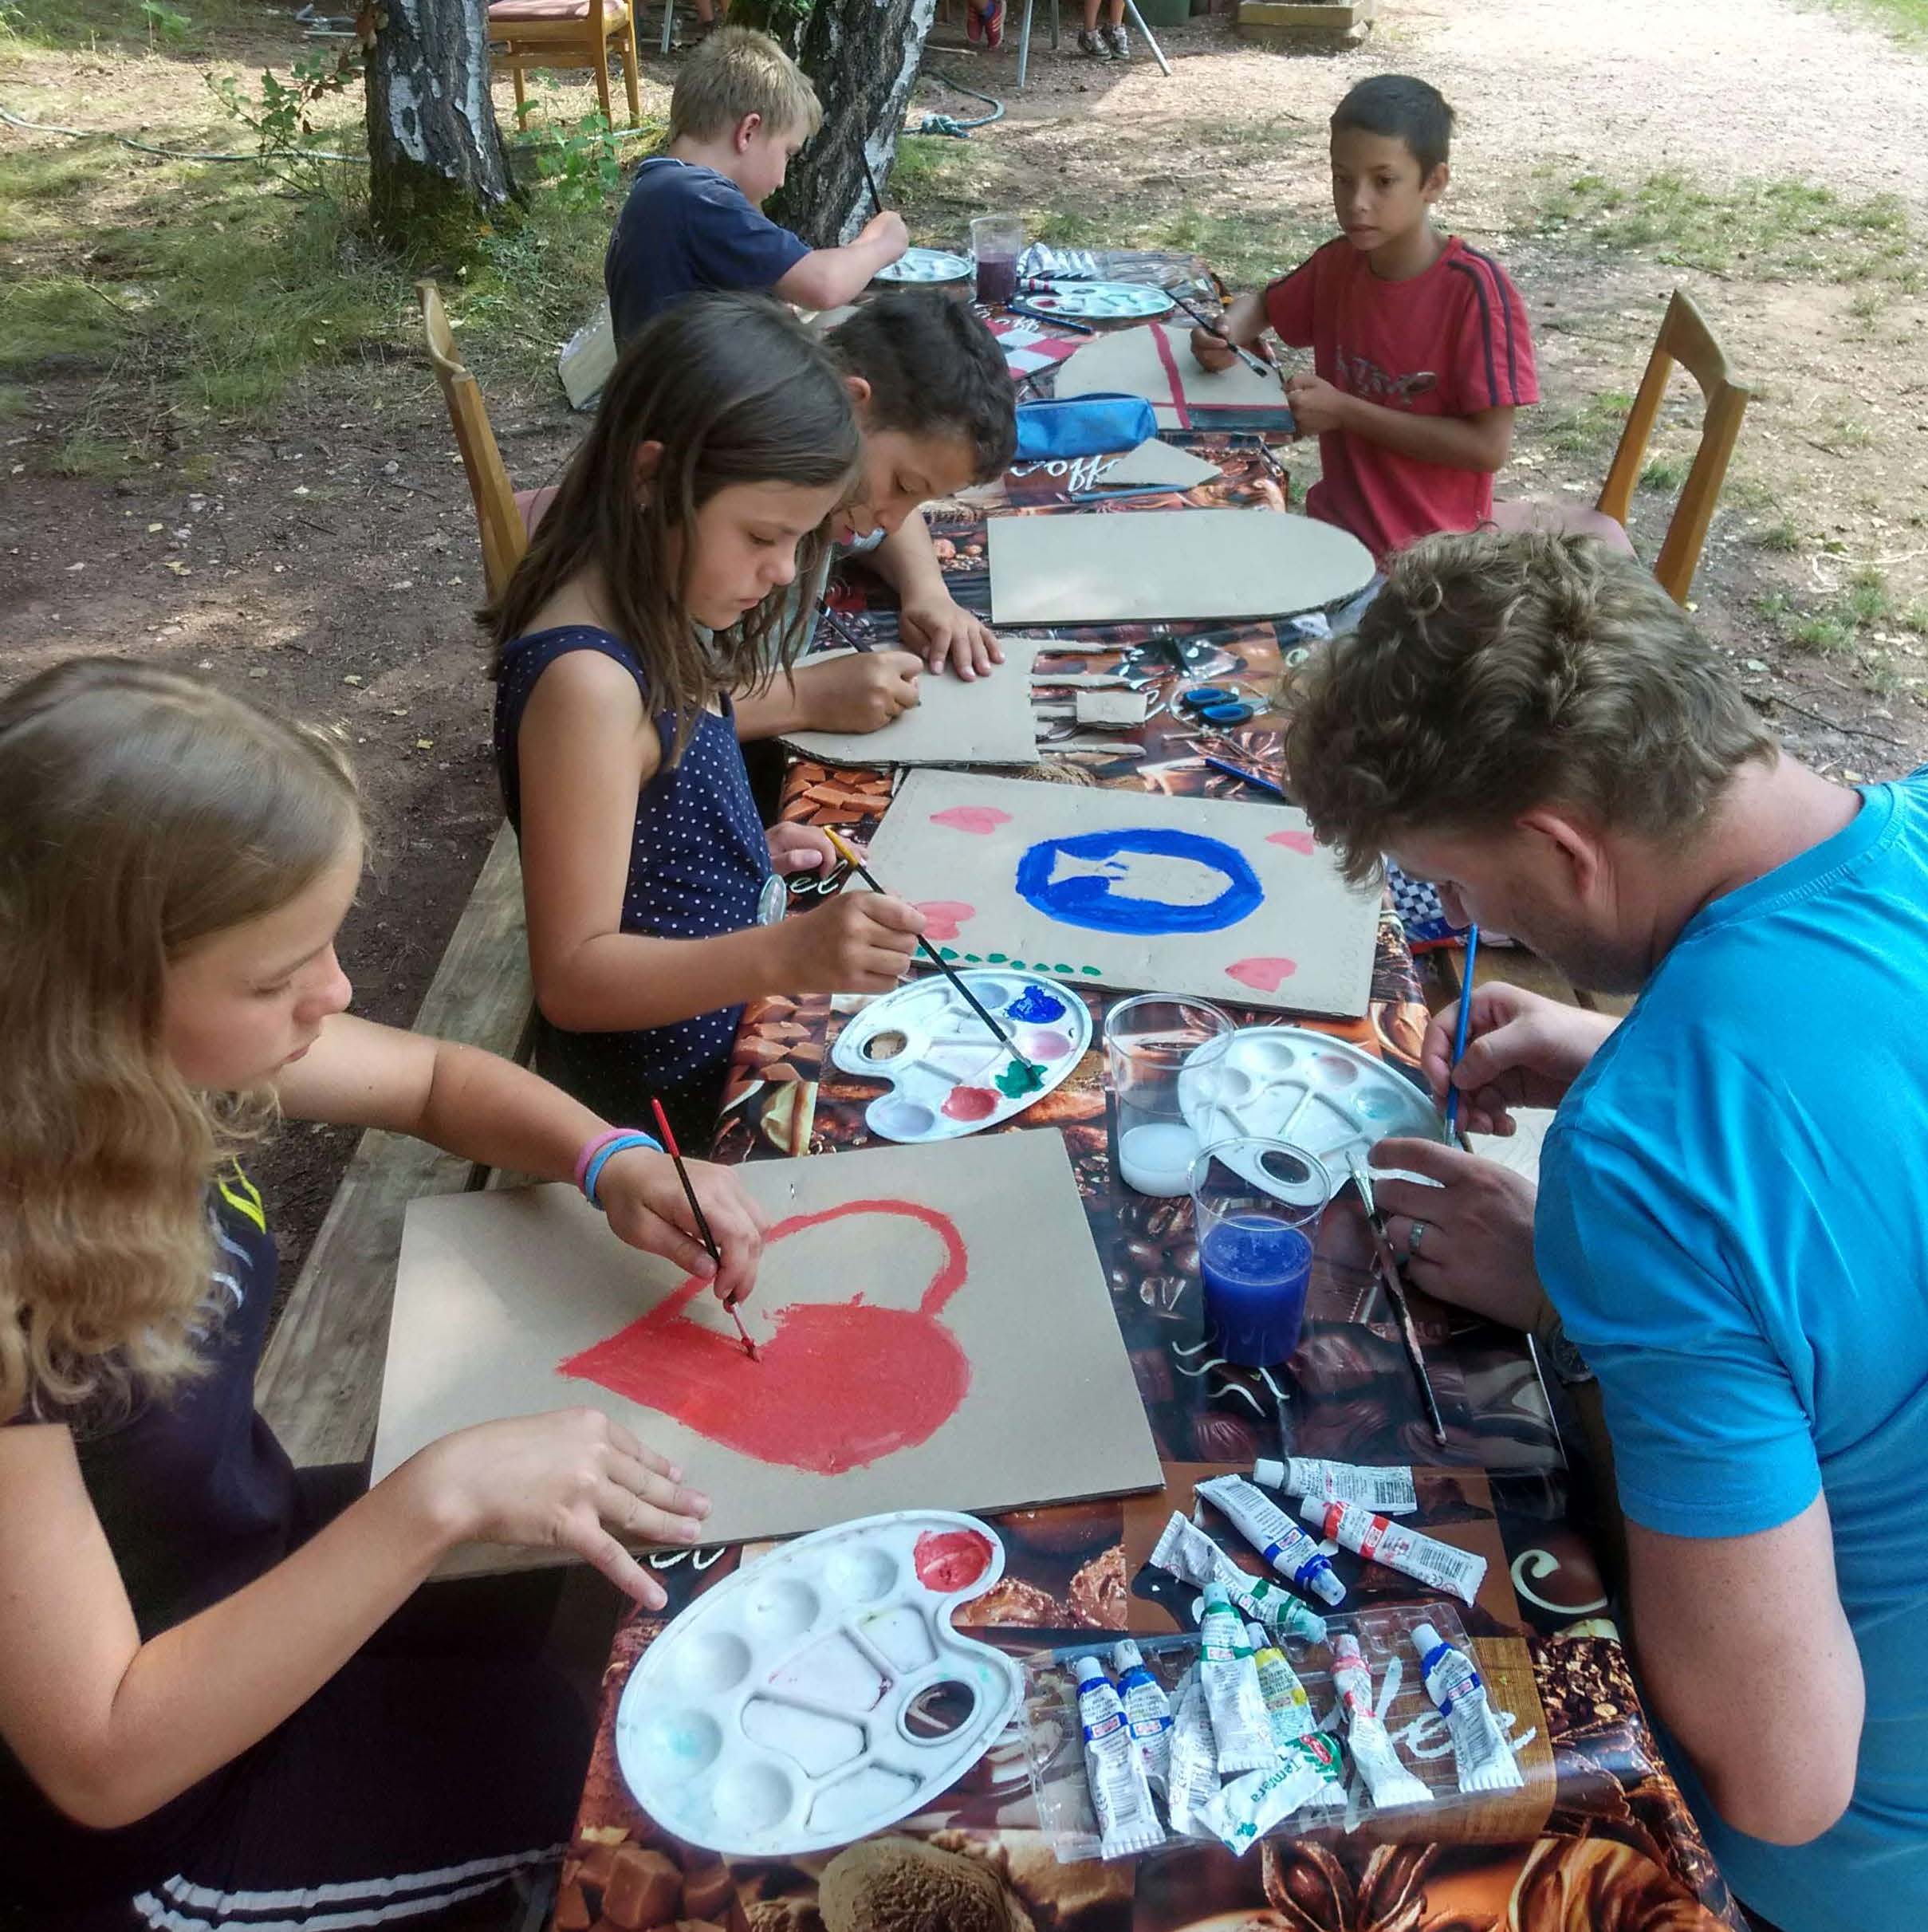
[(1164, 1058)]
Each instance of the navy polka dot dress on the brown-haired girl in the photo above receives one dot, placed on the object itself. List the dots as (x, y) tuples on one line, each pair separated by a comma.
[(696, 868)]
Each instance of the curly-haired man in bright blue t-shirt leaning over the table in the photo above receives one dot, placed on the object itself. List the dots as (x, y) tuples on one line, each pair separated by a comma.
[(1734, 1199)]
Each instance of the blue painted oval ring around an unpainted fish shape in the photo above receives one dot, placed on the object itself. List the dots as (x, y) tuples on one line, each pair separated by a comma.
[(1139, 882)]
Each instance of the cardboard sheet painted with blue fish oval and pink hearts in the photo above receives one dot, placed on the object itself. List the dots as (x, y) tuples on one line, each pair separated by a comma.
[(1220, 897)]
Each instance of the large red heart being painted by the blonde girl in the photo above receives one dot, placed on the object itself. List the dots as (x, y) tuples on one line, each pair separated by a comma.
[(836, 1386)]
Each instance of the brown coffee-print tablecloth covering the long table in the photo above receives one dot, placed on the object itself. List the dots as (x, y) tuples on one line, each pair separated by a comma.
[(1601, 1834)]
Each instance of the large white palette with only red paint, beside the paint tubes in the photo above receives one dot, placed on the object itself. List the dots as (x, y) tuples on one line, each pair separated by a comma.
[(820, 1693)]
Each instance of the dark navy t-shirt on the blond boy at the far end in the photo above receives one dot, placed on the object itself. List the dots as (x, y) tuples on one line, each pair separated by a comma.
[(689, 229)]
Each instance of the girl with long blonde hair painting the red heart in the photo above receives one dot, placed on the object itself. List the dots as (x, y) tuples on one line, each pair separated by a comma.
[(194, 1726)]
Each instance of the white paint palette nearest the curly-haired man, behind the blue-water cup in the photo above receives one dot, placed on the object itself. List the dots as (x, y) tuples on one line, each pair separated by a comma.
[(1320, 1094)]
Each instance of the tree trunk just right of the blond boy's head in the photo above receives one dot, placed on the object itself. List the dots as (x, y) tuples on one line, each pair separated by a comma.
[(863, 57)]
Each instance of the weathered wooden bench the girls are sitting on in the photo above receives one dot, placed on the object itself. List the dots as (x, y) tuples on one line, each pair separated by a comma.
[(322, 1377)]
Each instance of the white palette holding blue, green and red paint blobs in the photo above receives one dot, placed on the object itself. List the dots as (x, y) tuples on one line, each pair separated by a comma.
[(948, 1073)]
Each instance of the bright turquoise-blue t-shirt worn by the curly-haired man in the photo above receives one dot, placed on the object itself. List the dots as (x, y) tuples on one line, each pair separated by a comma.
[(1734, 1226)]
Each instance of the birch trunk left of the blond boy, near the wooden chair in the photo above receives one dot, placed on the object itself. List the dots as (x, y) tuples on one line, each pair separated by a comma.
[(438, 167)]
